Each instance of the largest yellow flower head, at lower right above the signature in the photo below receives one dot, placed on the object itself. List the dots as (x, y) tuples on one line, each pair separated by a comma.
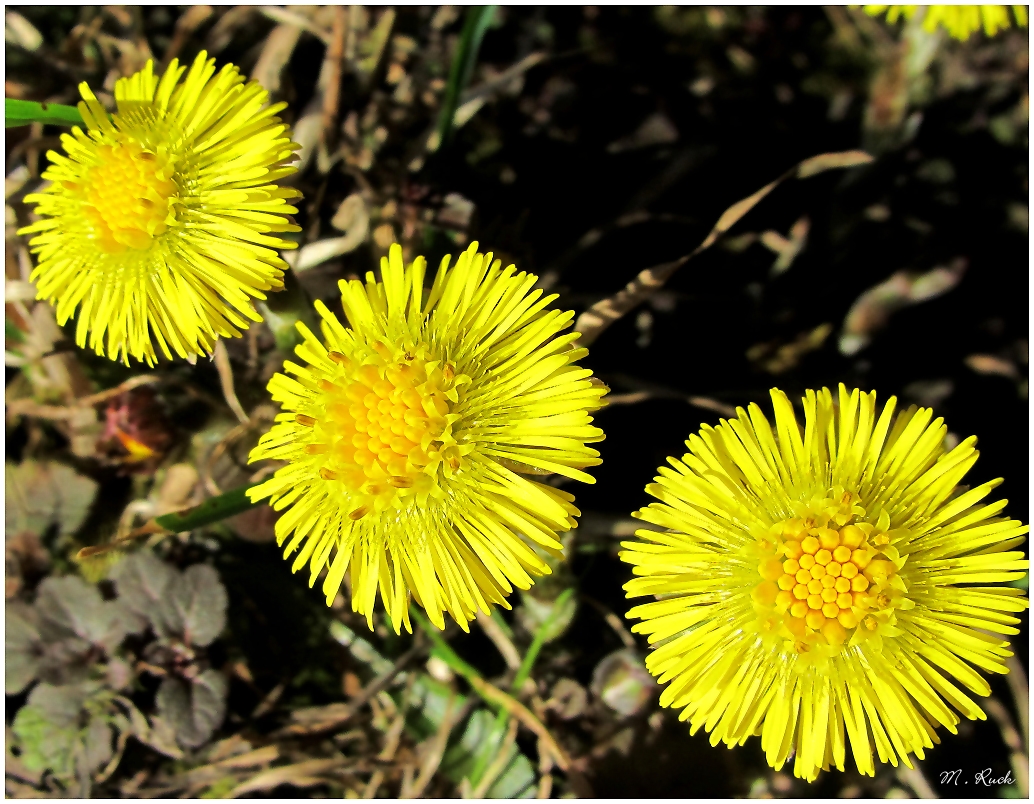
[(826, 585)]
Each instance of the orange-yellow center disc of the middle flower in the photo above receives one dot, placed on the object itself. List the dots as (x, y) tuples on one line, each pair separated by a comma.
[(388, 426)]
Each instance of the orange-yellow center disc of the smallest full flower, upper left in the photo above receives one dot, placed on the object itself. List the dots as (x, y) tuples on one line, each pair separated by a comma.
[(127, 197)]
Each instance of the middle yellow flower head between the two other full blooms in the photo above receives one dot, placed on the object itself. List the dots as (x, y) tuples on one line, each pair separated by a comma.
[(408, 437)]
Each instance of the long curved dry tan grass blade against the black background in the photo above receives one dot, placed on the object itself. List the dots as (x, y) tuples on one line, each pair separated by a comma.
[(592, 323)]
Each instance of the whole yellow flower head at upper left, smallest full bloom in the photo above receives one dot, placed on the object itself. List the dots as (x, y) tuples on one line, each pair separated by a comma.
[(159, 221)]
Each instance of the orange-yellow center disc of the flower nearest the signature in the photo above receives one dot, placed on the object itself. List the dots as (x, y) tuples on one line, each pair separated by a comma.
[(827, 581)]
